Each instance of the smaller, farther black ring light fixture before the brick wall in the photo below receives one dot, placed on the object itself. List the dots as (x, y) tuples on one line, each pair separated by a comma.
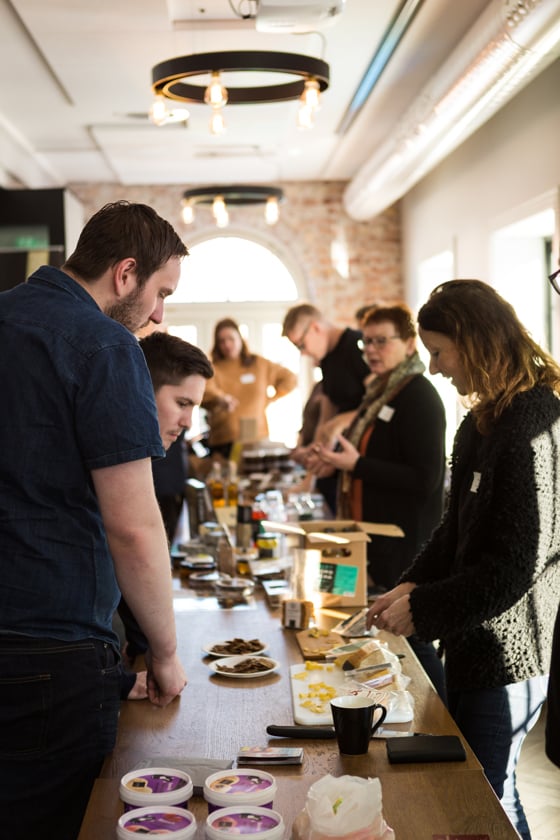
[(220, 197)]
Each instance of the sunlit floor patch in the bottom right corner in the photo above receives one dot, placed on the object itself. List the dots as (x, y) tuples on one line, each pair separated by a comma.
[(538, 781)]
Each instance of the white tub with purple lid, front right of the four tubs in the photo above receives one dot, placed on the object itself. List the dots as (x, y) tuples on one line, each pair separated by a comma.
[(229, 823)]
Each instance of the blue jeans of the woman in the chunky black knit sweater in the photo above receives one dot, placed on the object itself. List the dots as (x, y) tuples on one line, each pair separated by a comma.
[(495, 722)]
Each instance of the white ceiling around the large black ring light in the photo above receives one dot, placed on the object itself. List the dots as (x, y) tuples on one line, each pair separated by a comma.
[(76, 90)]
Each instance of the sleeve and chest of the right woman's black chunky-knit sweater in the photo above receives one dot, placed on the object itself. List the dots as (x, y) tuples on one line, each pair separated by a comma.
[(476, 567)]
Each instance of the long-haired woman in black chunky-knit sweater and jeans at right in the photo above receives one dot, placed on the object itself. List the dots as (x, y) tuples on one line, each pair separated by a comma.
[(487, 584)]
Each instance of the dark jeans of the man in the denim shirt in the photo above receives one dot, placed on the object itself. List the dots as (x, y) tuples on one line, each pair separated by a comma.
[(58, 720)]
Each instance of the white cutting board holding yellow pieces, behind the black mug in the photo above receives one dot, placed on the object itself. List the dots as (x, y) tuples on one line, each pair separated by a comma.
[(332, 676)]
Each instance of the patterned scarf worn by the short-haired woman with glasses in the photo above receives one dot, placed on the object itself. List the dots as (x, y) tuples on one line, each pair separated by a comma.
[(378, 393)]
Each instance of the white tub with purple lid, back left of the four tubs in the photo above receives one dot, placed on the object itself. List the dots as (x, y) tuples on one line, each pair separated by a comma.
[(155, 787)]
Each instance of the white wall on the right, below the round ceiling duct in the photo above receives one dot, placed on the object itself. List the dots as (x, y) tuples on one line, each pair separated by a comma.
[(511, 161)]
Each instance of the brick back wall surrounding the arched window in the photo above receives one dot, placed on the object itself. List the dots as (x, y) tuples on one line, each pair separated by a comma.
[(314, 235)]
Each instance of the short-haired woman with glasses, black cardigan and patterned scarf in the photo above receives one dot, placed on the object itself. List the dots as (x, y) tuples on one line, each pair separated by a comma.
[(392, 456)]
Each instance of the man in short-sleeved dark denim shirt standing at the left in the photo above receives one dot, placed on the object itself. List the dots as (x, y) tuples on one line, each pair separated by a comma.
[(78, 515)]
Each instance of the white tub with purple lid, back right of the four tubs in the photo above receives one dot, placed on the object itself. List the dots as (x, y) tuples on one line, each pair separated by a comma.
[(240, 786)]
